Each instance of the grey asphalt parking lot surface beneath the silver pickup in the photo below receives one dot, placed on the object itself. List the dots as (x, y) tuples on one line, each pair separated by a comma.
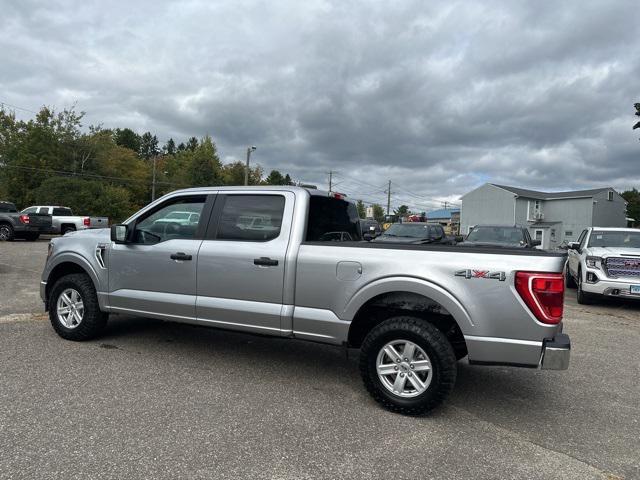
[(153, 399)]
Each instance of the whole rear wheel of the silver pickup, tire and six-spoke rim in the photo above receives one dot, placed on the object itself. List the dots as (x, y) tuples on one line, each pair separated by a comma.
[(408, 365)]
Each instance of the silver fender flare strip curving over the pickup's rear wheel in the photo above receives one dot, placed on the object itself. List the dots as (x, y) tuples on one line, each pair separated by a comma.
[(415, 285)]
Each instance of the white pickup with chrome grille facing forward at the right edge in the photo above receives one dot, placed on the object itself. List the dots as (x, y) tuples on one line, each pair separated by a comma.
[(604, 262)]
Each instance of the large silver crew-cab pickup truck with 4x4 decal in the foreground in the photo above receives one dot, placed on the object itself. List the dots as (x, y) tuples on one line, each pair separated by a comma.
[(412, 310)]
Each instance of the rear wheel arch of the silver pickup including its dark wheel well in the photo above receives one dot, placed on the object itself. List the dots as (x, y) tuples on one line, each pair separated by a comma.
[(407, 296)]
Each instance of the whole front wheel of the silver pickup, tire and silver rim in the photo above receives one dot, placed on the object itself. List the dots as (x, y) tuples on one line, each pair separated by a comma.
[(74, 310)]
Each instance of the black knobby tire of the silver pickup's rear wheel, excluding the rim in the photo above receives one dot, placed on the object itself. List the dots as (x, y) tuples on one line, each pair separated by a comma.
[(435, 345)]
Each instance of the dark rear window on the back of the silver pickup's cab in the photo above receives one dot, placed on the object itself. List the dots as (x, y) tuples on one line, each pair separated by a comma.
[(332, 220)]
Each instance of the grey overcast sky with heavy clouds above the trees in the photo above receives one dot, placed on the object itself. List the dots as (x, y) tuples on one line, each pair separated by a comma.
[(438, 98)]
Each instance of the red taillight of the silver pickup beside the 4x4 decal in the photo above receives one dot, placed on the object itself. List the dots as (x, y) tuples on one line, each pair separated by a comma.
[(543, 293)]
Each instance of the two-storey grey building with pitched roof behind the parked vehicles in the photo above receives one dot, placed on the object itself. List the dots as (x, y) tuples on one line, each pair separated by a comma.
[(552, 217)]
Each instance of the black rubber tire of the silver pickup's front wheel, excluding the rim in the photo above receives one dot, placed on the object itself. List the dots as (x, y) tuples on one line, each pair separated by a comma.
[(93, 319)]
